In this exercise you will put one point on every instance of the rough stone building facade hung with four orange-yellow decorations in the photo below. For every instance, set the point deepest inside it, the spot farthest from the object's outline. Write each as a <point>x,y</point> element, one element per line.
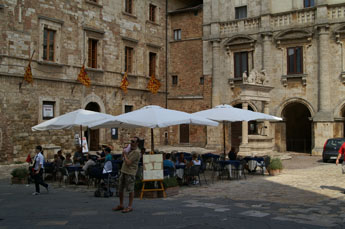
<point>110,37</point>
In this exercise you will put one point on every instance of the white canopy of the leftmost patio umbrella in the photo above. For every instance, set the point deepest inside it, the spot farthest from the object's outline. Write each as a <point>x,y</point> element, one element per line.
<point>75,118</point>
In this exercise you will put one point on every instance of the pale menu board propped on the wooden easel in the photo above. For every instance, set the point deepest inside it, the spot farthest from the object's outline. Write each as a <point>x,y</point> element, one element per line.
<point>153,167</point>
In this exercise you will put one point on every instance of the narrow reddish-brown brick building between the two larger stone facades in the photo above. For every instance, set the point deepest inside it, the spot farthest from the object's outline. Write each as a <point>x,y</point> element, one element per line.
<point>188,89</point>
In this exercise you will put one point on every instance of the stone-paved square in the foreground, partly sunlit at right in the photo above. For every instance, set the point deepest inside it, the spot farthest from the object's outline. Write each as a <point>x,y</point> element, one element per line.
<point>308,194</point>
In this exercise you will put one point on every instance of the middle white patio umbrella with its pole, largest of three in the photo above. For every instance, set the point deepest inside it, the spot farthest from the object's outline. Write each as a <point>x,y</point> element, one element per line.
<point>152,117</point>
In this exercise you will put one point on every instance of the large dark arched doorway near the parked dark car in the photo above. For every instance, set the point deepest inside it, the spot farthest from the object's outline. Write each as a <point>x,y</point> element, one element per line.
<point>298,127</point>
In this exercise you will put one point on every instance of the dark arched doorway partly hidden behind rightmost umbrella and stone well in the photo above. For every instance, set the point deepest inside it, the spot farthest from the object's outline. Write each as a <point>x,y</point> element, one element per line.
<point>236,129</point>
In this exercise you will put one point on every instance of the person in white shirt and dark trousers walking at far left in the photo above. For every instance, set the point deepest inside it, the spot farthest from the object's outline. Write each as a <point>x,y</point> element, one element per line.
<point>38,170</point>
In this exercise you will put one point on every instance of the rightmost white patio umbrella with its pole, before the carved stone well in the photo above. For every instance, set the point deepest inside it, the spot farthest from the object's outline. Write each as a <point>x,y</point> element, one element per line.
<point>226,113</point>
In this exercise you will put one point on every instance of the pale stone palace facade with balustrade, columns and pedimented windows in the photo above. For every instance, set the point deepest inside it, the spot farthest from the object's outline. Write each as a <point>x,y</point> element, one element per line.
<point>285,58</point>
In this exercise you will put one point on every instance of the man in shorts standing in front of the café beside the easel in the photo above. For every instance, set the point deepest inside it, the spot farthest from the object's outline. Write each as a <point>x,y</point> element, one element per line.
<point>129,169</point>
